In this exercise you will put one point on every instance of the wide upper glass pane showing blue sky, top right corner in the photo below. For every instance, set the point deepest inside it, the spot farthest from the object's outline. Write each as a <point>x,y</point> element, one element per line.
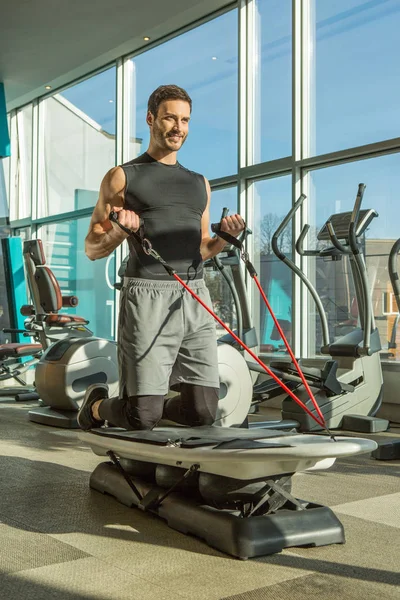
<point>356,78</point>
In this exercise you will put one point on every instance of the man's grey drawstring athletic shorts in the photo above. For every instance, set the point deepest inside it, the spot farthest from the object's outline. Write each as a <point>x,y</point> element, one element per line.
<point>165,337</point>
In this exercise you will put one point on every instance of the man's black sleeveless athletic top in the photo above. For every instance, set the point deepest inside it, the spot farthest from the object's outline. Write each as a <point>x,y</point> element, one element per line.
<point>171,201</point>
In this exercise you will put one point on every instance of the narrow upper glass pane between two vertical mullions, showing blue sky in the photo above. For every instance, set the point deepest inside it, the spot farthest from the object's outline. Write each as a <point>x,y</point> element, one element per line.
<point>272,44</point>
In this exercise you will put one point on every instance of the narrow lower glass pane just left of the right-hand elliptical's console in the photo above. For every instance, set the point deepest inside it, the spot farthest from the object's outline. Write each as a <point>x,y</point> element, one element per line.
<point>272,201</point>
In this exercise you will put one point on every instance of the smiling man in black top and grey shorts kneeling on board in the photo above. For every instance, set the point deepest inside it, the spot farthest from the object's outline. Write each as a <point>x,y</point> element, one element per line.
<point>165,338</point>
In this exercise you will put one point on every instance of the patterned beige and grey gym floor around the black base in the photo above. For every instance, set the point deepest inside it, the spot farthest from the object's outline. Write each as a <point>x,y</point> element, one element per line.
<point>61,540</point>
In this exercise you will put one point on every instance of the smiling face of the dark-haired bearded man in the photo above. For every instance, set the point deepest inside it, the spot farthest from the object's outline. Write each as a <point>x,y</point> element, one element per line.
<point>170,128</point>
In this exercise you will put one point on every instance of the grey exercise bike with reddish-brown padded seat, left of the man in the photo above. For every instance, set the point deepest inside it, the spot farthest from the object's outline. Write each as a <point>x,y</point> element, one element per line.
<point>73,357</point>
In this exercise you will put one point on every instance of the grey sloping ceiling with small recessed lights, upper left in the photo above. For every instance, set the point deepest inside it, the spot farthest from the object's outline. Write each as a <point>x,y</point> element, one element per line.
<point>53,42</point>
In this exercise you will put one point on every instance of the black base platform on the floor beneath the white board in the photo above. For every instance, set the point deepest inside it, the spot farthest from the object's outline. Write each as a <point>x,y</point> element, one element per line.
<point>227,530</point>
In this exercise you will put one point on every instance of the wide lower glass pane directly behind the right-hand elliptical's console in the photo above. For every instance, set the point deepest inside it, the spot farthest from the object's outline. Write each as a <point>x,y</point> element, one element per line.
<point>333,190</point>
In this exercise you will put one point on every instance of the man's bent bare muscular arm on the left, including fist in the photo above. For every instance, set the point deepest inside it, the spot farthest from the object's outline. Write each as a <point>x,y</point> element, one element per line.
<point>104,235</point>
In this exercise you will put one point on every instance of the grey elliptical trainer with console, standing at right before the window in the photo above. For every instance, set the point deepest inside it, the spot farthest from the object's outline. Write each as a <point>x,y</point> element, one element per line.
<point>350,385</point>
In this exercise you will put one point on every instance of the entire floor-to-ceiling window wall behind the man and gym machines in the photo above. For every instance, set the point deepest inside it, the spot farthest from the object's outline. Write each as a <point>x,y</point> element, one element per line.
<point>317,77</point>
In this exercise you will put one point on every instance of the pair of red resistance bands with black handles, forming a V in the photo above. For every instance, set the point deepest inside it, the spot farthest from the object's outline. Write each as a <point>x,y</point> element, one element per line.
<point>147,248</point>
